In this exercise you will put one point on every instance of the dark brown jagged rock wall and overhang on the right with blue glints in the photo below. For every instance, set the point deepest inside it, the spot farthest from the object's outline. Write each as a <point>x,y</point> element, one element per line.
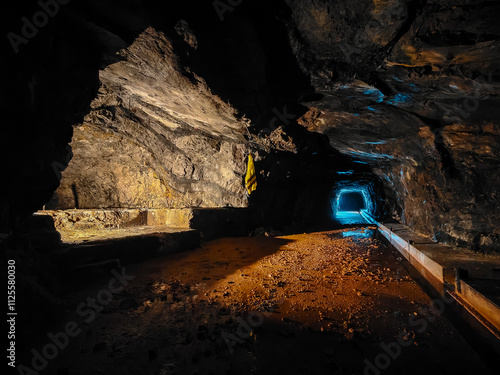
<point>412,89</point>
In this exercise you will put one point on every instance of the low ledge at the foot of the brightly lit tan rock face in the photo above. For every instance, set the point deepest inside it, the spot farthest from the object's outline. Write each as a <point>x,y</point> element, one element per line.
<point>93,239</point>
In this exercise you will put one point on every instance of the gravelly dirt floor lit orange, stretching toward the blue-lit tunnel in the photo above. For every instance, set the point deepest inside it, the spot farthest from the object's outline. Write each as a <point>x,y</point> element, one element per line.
<point>335,302</point>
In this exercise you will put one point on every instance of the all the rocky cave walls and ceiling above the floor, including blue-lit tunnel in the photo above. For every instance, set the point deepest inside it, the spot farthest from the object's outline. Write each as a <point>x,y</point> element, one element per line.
<point>128,114</point>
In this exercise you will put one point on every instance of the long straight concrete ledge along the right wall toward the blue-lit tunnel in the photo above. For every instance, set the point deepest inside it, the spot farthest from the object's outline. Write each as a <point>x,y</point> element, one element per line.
<point>437,264</point>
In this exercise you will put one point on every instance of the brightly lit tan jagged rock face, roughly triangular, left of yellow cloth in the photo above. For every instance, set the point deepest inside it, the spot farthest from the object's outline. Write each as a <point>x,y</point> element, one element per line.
<point>155,137</point>
